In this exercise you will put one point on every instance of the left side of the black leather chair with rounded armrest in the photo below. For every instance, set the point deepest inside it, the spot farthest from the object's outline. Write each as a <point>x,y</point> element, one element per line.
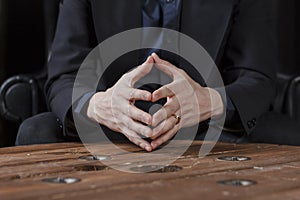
<point>22,96</point>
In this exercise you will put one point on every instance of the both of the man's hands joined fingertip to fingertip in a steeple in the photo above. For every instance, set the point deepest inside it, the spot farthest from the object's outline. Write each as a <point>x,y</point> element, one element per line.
<point>115,108</point>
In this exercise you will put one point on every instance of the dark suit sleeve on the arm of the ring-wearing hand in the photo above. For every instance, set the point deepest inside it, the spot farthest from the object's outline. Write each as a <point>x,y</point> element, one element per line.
<point>250,60</point>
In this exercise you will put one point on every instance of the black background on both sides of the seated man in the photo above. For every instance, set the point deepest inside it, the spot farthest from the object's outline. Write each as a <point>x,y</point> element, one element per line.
<point>23,45</point>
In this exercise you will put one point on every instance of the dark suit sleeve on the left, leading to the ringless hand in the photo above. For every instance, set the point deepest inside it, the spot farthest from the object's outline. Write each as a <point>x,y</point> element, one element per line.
<point>74,40</point>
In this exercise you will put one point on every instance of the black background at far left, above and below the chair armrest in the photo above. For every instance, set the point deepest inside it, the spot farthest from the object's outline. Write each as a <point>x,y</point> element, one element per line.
<point>22,46</point>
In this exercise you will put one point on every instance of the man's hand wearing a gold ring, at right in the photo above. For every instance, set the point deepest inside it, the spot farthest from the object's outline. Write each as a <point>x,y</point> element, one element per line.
<point>185,98</point>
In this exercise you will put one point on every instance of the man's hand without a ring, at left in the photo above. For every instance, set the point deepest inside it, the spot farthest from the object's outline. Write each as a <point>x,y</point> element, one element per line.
<point>115,108</point>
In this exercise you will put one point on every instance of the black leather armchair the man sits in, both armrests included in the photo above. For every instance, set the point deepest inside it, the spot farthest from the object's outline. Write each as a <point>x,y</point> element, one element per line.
<point>22,96</point>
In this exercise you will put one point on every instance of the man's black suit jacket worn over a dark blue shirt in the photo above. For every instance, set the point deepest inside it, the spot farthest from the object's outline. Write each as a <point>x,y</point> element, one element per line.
<point>238,34</point>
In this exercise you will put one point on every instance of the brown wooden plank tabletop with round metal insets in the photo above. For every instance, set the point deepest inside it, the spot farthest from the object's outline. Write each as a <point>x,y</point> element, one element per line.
<point>275,170</point>
